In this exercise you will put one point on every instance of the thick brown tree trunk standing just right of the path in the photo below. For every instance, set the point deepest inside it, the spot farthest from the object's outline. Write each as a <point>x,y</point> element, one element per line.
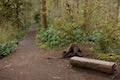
<point>43,14</point>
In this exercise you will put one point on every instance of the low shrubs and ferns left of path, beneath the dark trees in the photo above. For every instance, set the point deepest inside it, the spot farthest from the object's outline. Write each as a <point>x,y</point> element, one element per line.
<point>9,38</point>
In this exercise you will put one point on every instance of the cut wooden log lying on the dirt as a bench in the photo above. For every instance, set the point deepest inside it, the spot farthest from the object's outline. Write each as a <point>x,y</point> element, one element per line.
<point>99,65</point>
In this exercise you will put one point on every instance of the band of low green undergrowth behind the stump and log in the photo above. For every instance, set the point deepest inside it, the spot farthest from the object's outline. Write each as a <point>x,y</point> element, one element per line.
<point>106,45</point>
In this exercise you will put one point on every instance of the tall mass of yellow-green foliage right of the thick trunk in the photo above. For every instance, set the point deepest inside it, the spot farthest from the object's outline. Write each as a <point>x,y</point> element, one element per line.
<point>90,21</point>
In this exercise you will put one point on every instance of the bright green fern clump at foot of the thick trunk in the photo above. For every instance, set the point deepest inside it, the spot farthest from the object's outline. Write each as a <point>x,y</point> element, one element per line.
<point>50,37</point>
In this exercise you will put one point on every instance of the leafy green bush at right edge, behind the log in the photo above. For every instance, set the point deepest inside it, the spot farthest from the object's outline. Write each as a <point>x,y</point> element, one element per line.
<point>105,40</point>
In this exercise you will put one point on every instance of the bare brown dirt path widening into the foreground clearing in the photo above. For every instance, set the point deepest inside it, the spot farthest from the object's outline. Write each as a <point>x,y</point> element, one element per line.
<point>31,63</point>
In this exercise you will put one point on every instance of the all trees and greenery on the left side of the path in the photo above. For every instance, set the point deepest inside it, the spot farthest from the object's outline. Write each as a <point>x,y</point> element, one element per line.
<point>14,23</point>
